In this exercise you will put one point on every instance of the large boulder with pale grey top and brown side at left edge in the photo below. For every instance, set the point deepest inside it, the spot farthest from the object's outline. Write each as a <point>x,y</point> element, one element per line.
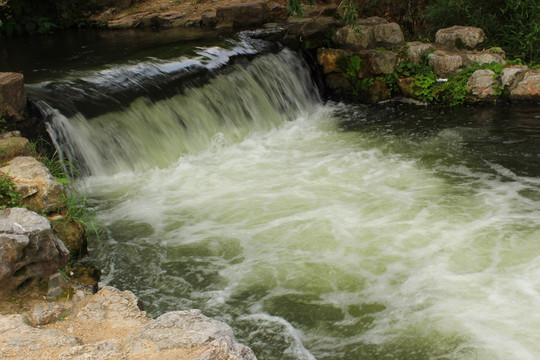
<point>28,248</point>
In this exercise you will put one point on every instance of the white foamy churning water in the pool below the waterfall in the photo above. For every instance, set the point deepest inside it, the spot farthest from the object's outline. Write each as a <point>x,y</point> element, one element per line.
<point>364,253</point>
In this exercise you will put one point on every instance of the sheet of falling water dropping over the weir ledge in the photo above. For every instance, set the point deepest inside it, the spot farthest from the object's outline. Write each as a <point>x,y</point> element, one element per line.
<point>147,134</point>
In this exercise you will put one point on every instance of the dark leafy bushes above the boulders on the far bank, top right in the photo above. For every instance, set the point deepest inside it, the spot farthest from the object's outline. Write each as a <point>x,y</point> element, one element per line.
<point>512,24</point>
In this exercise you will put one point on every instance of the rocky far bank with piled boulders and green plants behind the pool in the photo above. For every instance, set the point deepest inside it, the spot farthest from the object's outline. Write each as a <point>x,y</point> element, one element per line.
<point>371,61</point>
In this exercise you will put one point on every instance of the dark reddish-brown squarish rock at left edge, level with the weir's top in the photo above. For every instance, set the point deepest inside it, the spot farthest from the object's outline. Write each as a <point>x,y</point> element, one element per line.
<point>12,95</point>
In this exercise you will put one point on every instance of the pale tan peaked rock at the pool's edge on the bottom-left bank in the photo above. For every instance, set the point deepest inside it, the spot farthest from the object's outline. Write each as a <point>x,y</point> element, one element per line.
<point>113,305</point>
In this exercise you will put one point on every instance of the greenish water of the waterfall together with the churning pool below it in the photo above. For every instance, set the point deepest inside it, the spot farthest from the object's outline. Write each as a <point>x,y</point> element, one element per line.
<point>324,231</point>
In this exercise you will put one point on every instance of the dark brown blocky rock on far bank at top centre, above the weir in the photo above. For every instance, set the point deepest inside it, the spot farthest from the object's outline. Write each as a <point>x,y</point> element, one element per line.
<point>242,15</point>
